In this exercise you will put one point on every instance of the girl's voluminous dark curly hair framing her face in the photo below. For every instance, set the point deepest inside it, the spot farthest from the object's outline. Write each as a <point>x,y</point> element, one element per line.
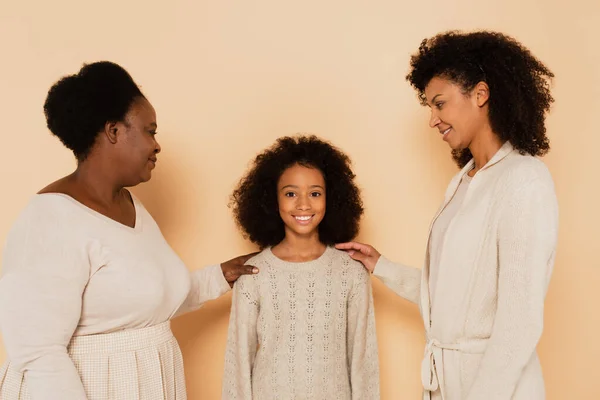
<point>254,201</point>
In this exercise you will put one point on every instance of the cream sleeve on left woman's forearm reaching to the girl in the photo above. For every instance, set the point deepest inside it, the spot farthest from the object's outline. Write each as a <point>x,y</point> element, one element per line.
<point>206,284</point>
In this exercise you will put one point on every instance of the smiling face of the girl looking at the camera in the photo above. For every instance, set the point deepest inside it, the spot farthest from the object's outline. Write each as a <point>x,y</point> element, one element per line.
<point>301,199</point>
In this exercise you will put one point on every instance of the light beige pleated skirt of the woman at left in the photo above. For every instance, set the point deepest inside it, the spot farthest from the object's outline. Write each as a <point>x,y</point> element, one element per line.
<point>137,364</point>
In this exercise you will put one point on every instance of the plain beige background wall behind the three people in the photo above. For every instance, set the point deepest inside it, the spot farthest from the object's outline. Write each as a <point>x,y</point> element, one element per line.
<point>229,77</point>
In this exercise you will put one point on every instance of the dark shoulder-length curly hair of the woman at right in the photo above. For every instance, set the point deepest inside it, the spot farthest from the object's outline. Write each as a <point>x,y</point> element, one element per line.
<point>519,83</point>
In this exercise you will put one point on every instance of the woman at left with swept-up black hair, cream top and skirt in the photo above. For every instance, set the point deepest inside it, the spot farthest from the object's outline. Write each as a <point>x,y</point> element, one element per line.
<point>89,283</point>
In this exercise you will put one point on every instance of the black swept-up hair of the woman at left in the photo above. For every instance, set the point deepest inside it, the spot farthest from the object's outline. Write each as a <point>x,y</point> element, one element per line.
<point>78,106</point>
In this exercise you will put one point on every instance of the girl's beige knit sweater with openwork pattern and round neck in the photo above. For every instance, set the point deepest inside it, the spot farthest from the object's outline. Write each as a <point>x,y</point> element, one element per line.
<point>302,331</point>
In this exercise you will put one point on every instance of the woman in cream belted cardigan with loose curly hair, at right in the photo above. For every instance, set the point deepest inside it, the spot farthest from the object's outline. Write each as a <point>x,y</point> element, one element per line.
<point>492,243</point>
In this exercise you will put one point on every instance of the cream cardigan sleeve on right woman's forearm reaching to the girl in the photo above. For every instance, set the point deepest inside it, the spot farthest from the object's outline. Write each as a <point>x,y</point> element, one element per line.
<point>403,280</point>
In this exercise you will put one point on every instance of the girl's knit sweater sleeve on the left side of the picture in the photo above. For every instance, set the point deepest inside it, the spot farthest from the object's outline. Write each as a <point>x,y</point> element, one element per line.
<point>242,340</point>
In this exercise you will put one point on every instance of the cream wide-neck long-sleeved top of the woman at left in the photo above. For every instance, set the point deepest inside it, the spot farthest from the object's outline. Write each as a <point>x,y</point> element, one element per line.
<point>68,271</point>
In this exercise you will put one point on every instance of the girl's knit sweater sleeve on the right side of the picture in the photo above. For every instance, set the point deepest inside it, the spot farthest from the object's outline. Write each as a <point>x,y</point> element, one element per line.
<point>363,356</point>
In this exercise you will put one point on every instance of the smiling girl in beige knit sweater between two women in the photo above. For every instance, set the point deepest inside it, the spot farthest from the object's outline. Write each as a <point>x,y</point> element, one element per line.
<point>305,327</point>
